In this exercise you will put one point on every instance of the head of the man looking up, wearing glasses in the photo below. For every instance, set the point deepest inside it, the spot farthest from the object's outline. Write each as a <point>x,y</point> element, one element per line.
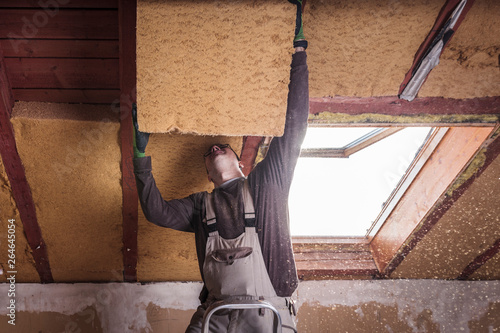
<point>222,163</point>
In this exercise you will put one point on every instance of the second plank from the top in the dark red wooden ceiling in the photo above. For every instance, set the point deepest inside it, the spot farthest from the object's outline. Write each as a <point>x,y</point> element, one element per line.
<point>24,24</point>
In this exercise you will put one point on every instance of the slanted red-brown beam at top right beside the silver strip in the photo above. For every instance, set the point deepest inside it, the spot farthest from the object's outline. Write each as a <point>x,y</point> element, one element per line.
<point>443,16</point>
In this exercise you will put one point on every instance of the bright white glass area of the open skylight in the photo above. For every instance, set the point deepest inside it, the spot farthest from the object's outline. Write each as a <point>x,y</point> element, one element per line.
<point>343,196</point>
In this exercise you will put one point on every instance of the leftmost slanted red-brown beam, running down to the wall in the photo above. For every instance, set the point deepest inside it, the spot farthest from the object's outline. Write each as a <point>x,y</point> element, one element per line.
<point>21,191</point>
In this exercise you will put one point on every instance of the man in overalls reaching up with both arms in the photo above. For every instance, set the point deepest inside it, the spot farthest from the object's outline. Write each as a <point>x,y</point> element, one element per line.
<point>241,228</point>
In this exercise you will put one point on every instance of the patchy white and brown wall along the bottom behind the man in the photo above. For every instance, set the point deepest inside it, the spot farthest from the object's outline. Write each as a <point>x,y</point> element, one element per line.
<point>323,306</point>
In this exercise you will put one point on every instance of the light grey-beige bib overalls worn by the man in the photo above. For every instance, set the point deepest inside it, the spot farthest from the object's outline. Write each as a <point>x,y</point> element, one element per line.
<point>234,268</point>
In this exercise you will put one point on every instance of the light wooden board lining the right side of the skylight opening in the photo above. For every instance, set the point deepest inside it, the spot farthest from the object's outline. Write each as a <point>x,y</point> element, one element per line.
<point>426,197</point>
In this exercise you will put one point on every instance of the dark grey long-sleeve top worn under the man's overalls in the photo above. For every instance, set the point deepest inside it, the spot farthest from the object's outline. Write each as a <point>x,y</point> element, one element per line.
<point>269,184</point>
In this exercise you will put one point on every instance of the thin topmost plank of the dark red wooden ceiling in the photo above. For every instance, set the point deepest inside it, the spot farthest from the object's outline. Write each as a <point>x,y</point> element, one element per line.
<point>109,4</point>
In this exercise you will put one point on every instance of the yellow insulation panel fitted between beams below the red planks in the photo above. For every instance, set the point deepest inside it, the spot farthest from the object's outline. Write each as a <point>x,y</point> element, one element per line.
<point>73,168</point>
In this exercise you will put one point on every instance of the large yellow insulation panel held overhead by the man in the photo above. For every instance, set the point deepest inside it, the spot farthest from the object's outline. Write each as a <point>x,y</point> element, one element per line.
<point>213,67</point>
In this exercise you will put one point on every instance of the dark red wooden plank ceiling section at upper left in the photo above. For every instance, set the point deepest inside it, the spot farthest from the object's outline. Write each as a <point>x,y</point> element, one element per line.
<point>62,53</point>
